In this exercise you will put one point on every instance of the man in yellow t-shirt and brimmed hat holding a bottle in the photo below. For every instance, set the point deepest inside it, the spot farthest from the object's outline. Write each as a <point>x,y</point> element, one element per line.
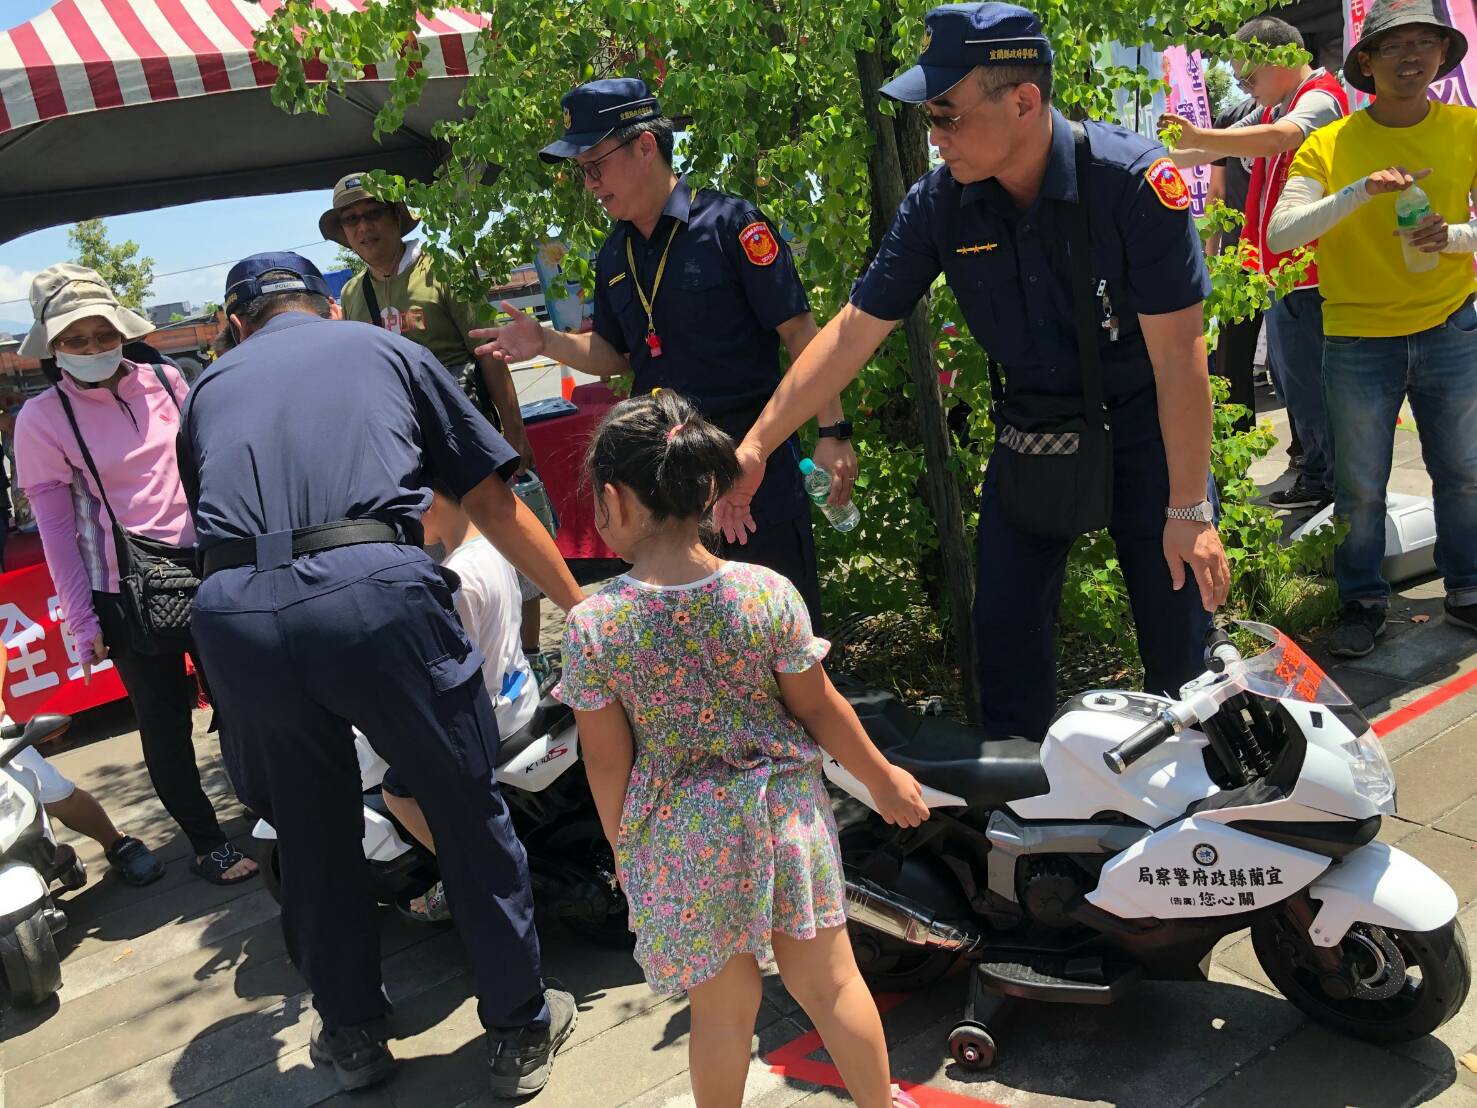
<point>1394,329</point>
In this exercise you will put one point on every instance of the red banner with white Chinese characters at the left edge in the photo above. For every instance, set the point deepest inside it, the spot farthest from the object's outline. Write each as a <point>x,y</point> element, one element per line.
<point>44,671</point>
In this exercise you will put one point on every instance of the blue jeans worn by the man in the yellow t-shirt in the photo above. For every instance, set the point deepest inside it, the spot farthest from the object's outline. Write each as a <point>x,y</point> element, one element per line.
<point>1365,382</point>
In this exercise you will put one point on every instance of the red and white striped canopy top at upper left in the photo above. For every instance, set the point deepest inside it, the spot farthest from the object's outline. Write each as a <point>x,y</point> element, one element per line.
<point>92,55</point>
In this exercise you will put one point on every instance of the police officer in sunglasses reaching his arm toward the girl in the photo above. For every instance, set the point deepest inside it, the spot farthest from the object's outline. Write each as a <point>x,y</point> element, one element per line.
<point>995,221</point>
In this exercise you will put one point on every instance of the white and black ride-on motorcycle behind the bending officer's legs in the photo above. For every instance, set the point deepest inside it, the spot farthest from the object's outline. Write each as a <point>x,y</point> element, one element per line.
<point>549,798</point>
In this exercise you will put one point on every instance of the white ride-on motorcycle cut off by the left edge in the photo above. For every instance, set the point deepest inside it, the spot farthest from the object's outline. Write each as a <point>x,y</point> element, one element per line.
<point>30,862</point>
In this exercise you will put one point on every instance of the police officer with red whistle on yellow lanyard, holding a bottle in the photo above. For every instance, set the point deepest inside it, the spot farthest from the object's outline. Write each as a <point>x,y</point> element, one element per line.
<point>695,290</point>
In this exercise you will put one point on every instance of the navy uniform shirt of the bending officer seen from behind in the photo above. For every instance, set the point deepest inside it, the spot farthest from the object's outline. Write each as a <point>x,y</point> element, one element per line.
<point>314,420</point>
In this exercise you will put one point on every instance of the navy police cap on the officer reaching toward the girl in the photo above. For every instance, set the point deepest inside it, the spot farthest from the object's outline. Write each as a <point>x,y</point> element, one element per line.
<point>958,38</point>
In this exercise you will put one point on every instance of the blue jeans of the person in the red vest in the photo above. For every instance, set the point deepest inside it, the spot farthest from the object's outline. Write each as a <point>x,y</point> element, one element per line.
<point>1296,354</point>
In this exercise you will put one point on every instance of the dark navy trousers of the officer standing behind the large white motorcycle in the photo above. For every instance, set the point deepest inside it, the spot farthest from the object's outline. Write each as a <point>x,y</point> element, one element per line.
<point>1020,589</point>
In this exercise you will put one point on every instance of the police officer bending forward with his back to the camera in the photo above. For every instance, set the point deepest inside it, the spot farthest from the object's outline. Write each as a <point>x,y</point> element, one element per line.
<point>309,453</point>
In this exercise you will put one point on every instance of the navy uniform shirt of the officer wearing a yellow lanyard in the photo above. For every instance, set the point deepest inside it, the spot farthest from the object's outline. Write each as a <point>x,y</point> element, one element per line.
<point>729,283</point>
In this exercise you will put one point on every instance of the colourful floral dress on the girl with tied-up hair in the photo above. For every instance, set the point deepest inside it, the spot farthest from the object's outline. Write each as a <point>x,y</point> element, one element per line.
<point>727,831</point>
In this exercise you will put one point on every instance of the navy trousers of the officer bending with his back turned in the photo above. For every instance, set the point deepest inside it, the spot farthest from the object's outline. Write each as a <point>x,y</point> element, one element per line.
<point>367,637</point>
